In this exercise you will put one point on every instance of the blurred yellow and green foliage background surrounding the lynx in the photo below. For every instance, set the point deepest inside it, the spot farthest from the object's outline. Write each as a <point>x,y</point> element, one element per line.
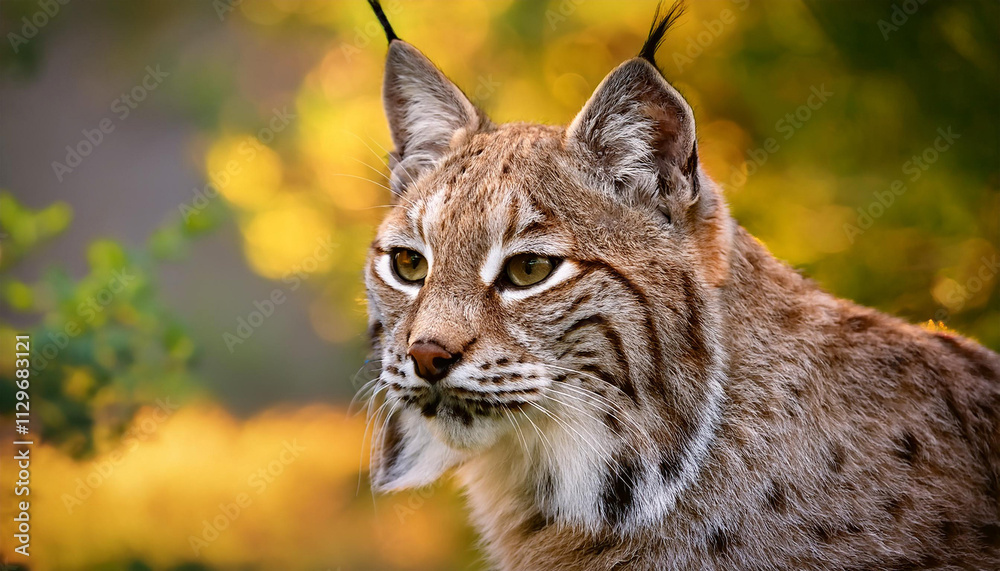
<point>188,189</point>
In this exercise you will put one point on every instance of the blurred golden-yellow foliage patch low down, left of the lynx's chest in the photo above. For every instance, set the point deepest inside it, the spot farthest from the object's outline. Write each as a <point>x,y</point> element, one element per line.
<point>280,490</point>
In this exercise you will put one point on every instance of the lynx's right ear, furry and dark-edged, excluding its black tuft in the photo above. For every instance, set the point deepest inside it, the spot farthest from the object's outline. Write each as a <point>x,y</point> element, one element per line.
<point>638,133</point>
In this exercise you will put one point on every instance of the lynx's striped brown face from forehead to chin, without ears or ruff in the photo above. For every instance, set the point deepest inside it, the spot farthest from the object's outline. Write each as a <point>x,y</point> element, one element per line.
<point>505,209</point>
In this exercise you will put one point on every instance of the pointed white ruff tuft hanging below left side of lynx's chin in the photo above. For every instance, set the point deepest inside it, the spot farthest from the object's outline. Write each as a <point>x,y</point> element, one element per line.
<point>408,455</point>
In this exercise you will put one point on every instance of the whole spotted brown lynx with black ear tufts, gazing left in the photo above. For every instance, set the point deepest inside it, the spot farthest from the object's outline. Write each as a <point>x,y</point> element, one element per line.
<point>619,376</point>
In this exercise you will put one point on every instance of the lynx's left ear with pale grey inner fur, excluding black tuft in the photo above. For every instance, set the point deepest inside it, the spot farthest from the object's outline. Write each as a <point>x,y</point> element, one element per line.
<point>425,111</point>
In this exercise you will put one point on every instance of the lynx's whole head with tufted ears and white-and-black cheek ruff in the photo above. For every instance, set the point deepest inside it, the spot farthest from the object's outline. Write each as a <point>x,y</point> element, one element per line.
<point>547,292</point>
